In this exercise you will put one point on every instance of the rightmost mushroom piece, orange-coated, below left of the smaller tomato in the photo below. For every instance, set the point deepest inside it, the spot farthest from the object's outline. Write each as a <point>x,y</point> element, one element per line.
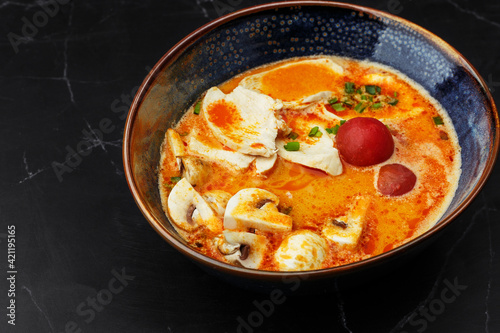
<point>346,231</point>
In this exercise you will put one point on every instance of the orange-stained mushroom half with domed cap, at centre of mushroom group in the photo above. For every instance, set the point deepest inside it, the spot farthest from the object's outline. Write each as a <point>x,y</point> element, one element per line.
<point>255,208</point>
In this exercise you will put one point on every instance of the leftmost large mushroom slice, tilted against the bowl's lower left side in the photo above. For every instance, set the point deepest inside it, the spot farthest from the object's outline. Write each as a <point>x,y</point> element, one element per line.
<point>188,210</point>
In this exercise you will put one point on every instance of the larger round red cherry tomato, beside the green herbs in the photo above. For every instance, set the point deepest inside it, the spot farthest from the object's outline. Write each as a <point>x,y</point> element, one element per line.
<point>364,141</point>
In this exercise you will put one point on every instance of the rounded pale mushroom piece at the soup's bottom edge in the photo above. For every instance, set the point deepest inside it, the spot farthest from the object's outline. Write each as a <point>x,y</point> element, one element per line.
<point>300,251</point>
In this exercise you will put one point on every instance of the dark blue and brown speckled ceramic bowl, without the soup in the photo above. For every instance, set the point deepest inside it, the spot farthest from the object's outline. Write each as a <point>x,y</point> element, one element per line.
<point>262,34</point>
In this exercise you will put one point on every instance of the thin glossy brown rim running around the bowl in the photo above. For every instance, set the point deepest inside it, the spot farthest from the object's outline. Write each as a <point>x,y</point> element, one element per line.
<point>190,39</point>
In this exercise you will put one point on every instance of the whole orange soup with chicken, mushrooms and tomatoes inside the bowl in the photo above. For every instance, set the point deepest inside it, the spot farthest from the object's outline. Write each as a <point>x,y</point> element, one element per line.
<point>307,164</point>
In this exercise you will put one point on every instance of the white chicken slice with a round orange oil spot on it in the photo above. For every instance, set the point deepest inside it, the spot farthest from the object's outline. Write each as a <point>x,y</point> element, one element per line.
<point>243,120</point>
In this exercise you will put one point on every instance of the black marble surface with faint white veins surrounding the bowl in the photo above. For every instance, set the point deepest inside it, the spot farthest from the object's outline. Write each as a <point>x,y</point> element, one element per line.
<point>87,260</point>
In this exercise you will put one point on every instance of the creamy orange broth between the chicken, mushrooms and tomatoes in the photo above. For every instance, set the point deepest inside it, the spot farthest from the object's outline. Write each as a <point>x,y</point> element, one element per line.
<point>313,198</point>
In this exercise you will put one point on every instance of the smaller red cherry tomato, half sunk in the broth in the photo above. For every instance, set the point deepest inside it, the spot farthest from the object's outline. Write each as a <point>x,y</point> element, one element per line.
<point>395,179</point>
